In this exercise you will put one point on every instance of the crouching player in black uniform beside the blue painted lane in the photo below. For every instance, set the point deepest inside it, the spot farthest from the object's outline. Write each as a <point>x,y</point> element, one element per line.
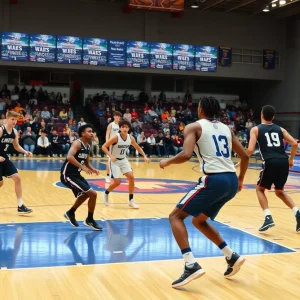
<point>77,160</point>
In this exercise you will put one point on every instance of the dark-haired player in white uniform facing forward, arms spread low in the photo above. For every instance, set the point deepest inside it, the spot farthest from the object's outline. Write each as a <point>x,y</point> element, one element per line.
<point>118,161</point>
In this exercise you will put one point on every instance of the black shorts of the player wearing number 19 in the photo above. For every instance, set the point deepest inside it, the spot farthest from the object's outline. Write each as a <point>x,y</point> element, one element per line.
<point>274,171</point>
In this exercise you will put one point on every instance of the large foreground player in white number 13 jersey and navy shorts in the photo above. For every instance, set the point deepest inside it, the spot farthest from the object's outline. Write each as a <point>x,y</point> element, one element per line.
<point>213,142</point>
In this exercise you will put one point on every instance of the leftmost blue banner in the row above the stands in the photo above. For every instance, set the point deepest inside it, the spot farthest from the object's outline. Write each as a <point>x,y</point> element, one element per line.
<point>15,46</point>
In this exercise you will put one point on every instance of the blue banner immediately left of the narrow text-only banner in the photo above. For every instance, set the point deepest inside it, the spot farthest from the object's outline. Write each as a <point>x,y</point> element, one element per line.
<point>94,52</point>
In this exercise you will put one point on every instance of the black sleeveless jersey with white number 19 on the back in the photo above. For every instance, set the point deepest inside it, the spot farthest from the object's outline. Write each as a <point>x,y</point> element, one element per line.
<point>270,141</point>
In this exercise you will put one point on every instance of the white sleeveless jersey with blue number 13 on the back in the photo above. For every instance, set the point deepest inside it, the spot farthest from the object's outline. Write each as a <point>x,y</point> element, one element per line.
<point>214,147</point>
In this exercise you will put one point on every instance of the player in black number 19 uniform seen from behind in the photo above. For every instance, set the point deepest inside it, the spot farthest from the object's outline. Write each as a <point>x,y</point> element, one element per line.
<point>276,163</point>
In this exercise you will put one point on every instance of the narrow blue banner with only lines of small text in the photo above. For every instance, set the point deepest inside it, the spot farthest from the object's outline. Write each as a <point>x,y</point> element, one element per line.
<point>117,53</point>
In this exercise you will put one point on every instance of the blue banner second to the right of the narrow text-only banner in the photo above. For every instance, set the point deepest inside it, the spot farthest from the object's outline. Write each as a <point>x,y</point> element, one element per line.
<point>161,55</point>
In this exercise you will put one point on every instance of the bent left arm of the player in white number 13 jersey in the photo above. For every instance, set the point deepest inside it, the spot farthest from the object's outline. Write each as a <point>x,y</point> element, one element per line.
<point>190,139</point>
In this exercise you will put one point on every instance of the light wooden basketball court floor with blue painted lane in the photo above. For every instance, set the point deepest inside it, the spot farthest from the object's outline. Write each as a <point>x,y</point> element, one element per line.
<point>136,256</point>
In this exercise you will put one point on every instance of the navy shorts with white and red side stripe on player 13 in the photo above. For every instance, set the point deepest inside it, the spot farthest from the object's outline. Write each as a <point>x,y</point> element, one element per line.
<point>209,195</point>
